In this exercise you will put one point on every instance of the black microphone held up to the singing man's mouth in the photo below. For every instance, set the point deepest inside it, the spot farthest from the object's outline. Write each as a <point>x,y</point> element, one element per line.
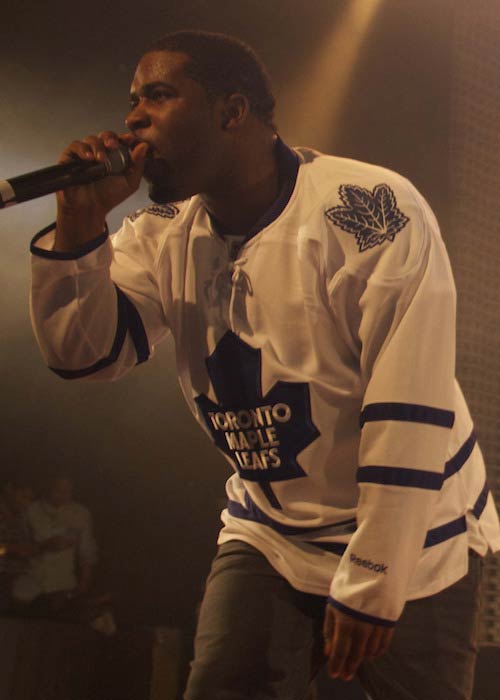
<point>58,177</point>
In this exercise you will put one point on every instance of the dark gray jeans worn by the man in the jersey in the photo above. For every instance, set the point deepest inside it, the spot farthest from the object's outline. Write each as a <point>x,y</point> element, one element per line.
<point>260,639</point>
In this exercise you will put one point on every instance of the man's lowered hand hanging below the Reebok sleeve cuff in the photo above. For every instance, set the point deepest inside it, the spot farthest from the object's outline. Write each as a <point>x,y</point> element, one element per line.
<point>349,641</point>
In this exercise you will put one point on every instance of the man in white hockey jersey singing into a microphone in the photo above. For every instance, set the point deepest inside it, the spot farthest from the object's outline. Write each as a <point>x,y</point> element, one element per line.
<point>313,310</point>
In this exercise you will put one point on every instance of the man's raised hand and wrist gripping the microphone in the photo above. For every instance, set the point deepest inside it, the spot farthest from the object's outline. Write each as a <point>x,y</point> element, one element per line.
<point>82,209</point>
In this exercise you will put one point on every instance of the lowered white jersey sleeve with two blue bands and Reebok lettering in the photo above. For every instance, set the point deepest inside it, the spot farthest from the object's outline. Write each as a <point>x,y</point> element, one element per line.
<point>405,331</point>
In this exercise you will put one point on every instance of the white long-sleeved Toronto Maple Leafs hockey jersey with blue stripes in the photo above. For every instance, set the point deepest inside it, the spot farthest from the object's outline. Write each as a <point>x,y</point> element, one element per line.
<point>319,357</point>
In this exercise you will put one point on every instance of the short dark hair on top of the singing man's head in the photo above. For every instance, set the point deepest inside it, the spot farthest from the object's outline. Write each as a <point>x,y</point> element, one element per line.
<point>223,65</point>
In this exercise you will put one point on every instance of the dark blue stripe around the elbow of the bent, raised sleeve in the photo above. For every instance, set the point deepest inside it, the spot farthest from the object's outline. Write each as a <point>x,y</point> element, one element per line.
<point>128,320</point>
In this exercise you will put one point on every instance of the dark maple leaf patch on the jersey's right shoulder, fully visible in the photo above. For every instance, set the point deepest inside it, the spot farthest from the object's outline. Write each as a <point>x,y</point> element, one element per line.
<point>372,217</point>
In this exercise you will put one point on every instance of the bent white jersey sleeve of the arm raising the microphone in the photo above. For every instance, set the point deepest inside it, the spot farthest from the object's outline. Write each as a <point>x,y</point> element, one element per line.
<point>97,312</point>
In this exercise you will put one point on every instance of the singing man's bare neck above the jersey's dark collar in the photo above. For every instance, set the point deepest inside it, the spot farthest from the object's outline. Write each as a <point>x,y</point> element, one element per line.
<point>249,188</point>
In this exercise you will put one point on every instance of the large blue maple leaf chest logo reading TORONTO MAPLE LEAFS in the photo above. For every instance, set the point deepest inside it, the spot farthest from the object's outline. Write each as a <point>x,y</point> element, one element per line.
<point>262,435</point>
